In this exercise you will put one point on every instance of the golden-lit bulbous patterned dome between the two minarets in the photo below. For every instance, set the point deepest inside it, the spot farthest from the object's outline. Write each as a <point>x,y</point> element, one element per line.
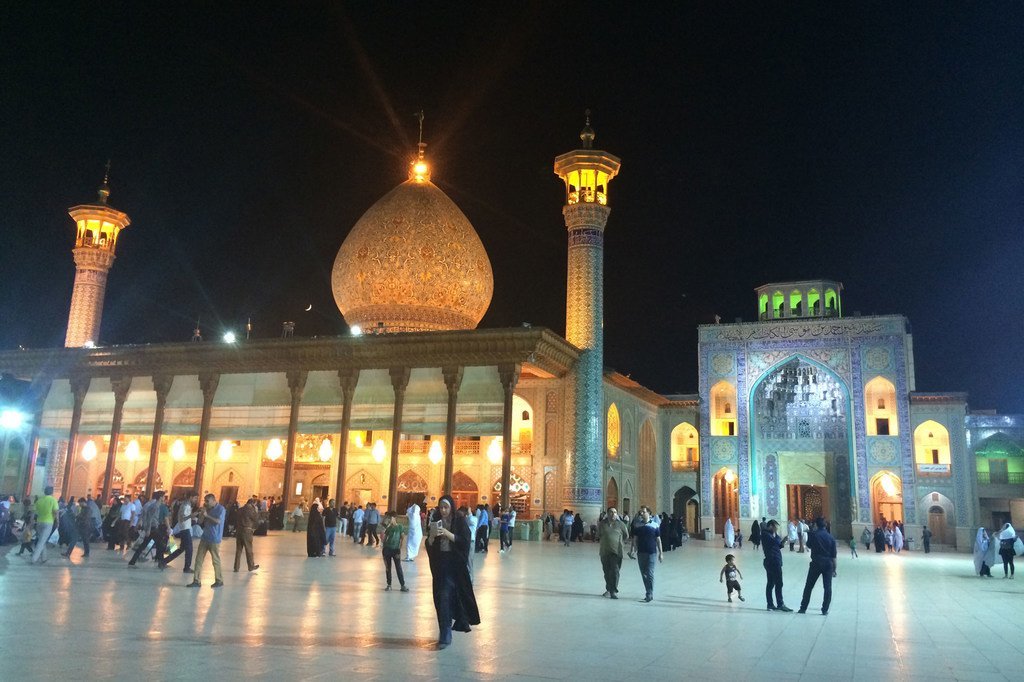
<point>413,263</point>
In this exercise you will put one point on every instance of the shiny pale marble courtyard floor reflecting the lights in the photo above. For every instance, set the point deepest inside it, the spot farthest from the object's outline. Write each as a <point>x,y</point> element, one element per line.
<point>893,617</point>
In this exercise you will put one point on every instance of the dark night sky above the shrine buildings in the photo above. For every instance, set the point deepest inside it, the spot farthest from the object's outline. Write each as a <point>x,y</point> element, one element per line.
<point>874,145</point>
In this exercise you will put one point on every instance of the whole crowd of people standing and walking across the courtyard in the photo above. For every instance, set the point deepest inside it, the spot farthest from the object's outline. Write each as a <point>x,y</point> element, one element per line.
<point>166,530</point>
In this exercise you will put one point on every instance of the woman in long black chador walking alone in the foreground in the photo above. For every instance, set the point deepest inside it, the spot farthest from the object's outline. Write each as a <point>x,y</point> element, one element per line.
<point>449,548</point>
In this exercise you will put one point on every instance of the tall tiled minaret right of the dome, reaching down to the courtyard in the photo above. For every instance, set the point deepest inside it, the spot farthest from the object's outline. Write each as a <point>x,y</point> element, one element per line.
<point>586,174</point>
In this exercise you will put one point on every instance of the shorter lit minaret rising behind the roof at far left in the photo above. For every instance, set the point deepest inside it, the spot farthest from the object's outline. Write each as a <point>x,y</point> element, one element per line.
<point>99,227</point>
